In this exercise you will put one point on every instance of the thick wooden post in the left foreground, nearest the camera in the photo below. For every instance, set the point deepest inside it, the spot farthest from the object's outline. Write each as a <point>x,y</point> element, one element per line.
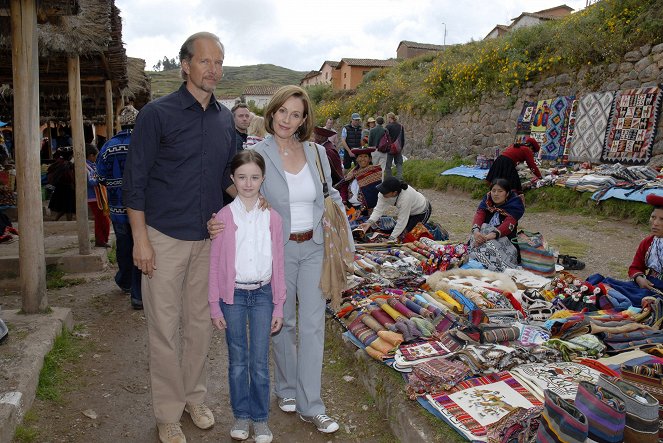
<point>25,64</point>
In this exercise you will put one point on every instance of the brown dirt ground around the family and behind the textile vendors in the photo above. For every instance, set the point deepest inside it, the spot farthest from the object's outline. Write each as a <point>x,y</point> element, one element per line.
<point>110,376</point>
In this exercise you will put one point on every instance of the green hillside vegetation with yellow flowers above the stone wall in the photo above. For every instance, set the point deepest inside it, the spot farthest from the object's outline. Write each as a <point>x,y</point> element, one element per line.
<point>461,74</point>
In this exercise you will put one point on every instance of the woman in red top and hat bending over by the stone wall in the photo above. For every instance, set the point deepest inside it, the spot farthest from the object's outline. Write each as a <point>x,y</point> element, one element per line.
<point>505,165</point>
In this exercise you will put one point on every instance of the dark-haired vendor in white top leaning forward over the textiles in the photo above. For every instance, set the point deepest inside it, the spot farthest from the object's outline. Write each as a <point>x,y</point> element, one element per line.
<point>412,206</point>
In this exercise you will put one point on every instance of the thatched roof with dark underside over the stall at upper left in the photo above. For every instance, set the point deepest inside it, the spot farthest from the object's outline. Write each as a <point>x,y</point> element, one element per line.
<point>94,34</point>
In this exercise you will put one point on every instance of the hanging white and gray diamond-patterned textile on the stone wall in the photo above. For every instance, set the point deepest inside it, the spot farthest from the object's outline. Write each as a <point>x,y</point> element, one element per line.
<point>586,141</point>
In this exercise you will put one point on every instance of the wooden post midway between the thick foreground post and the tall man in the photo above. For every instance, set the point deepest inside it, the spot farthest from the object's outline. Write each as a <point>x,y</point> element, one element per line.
<point>80,170</point>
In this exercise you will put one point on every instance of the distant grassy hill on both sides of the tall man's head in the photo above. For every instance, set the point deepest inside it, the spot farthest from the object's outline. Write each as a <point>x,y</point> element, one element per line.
<point>235,79</point>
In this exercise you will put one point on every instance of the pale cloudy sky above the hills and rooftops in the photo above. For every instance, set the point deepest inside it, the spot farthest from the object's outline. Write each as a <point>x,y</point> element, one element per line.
<point>302,34</point>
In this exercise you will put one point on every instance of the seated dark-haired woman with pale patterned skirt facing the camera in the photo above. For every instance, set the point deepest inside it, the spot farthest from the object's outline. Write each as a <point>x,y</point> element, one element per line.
<point>495,224</point>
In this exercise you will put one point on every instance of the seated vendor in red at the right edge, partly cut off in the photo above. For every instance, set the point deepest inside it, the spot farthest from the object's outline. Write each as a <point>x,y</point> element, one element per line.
<point>647,266</point>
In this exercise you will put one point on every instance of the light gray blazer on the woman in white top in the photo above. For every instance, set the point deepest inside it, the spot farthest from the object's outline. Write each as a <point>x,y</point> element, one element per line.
<point>275,186</point>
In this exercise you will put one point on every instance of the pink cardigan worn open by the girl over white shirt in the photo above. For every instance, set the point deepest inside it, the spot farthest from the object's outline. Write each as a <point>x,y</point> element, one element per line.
<point>222,264</point>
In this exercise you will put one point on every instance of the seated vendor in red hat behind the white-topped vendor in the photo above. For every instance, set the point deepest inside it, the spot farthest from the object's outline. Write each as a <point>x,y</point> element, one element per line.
<point>358,188</point>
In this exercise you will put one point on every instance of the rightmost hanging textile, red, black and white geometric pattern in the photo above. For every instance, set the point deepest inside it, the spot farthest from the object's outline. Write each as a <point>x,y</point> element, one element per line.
<point>633,120</point>
